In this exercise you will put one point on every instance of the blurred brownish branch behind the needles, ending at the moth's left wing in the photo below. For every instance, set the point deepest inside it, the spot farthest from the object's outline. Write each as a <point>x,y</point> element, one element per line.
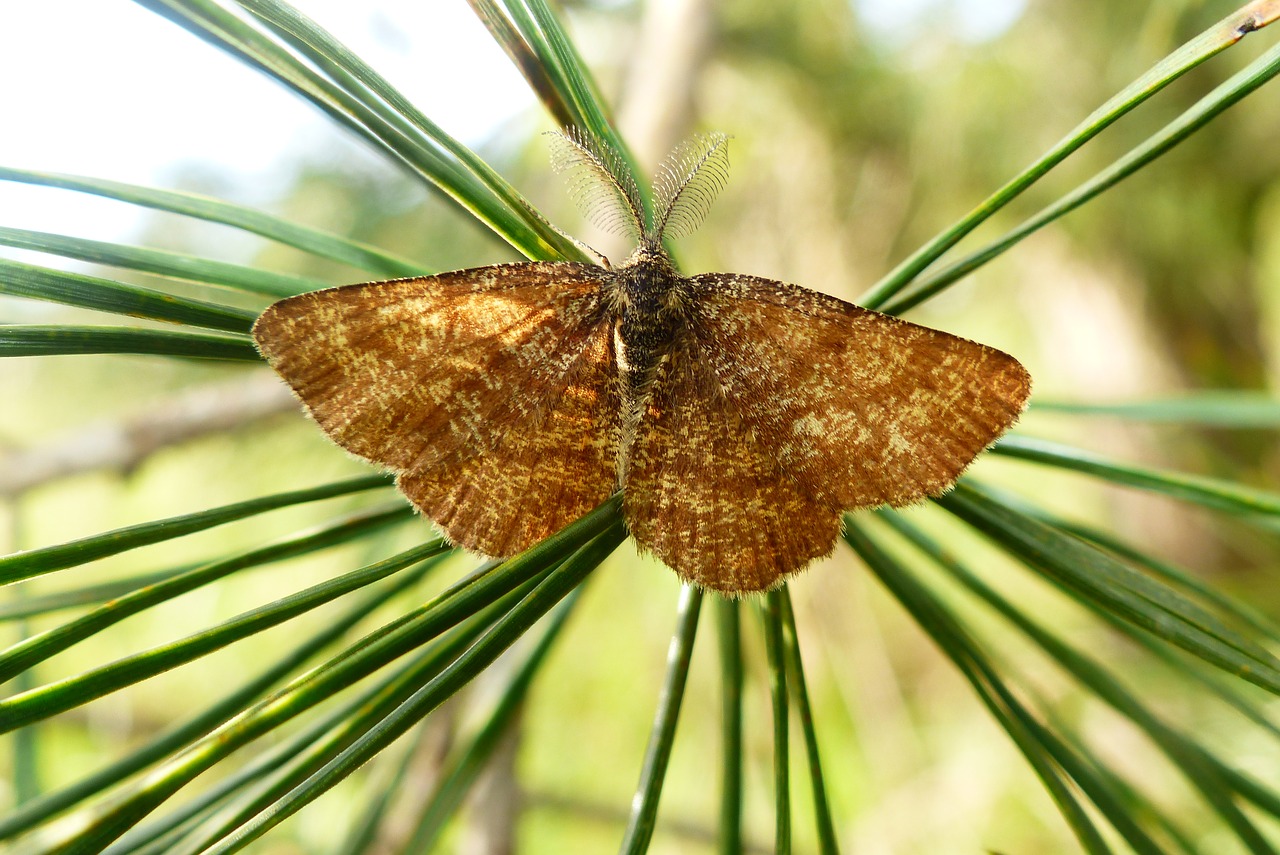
<point>124,445</point>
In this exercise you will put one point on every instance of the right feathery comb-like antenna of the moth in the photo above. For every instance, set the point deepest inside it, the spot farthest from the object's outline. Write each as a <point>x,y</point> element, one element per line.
<point>689,181</point>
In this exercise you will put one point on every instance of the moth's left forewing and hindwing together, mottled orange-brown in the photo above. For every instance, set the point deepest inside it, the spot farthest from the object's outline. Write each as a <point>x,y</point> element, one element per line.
<point>491,392</point>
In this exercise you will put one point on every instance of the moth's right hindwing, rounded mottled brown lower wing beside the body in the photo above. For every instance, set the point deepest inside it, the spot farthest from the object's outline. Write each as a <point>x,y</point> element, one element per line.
<point>708,497</point>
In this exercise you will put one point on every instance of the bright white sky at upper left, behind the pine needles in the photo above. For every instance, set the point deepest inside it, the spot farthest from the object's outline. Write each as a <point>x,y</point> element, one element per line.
<point>115,92</point>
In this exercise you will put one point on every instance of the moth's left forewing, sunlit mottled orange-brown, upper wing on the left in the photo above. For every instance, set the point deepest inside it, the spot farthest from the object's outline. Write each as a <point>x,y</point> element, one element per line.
<point>414,372</point>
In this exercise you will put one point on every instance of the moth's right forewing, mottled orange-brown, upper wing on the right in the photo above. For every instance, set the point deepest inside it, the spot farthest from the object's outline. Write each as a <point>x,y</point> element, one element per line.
<point>860,408</point>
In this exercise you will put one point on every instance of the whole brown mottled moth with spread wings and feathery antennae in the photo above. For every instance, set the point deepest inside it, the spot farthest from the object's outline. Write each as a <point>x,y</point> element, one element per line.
<point>740,417</point>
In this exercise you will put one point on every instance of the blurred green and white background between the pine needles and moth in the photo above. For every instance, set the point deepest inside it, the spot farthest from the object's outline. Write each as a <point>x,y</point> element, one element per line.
<point>861,129</point>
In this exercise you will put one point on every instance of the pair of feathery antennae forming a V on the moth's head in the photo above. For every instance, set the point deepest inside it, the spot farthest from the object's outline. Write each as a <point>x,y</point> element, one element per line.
<point>604,186</point>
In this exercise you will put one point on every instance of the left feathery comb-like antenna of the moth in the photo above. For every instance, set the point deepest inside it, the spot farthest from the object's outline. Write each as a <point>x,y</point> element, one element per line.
<point>600,181</point>
